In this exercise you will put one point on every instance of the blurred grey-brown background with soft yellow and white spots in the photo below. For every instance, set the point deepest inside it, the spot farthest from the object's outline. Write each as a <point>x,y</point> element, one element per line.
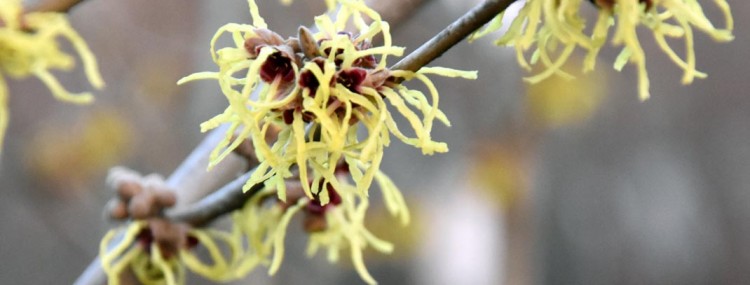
<point>564,182</point>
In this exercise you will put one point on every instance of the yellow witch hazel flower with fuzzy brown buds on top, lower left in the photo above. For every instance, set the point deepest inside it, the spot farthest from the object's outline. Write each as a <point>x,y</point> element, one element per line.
<point>156,250</point>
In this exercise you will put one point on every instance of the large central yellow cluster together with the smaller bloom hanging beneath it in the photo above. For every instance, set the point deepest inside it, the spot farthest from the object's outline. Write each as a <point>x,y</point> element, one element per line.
<point>318,110</point>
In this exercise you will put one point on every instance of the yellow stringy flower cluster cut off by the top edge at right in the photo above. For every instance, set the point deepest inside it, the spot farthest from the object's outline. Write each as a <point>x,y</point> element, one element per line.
<point>554,28</point>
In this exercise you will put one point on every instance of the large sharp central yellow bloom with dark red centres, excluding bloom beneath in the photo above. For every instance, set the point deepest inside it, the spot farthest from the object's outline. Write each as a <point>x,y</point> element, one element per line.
<point>318,90</point>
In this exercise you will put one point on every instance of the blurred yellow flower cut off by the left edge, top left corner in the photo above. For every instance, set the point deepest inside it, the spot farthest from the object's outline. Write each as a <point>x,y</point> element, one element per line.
<point>28,46</point>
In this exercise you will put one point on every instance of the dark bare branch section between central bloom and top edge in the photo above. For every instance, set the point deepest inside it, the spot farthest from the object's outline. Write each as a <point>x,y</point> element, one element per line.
<point>452,35</point>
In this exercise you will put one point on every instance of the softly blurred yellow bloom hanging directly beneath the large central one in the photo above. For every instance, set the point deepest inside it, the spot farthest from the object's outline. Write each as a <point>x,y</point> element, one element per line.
<point>335,226</point>
